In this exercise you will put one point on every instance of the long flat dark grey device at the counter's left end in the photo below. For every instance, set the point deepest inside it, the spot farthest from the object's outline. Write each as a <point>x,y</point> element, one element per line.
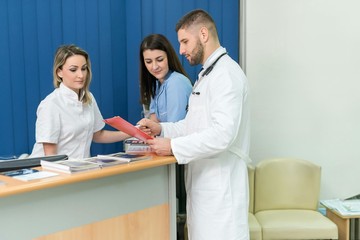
<point>14,164</point>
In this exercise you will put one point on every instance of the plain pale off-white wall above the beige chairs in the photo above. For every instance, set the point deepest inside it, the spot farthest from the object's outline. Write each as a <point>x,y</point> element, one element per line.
<point>302,58</point>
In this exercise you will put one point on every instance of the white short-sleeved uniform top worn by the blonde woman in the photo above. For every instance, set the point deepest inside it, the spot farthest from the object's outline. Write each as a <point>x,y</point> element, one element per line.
<point>64,120</point>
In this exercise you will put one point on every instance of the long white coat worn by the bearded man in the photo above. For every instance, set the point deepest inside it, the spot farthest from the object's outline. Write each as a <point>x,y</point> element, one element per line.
<point>213,140</point>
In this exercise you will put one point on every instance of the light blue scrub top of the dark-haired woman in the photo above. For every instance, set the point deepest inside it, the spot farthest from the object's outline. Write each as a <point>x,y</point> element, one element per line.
<point>171,98</point>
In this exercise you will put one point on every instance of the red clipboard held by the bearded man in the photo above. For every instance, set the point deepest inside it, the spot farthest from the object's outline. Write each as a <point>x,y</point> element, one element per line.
<point>126,127</point>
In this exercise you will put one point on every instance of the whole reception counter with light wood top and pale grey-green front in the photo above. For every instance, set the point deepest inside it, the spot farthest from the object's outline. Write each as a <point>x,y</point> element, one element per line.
<point>133,201</point>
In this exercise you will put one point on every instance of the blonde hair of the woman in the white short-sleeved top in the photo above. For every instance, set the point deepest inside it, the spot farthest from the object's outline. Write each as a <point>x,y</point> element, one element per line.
<point>61,55</point>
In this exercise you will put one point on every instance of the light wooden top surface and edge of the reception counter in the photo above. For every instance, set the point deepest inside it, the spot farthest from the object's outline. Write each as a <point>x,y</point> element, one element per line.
<point>13,186</point>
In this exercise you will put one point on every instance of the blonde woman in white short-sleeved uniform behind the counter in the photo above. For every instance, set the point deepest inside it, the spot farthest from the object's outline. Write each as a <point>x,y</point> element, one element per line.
<point>68,119</point>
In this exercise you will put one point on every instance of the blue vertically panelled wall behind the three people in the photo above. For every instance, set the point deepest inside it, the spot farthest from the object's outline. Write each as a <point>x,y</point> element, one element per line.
<point>111,32</point>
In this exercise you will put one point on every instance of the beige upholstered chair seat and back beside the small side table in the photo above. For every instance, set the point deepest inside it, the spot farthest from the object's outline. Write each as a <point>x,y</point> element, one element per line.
<point>286,200</point>
